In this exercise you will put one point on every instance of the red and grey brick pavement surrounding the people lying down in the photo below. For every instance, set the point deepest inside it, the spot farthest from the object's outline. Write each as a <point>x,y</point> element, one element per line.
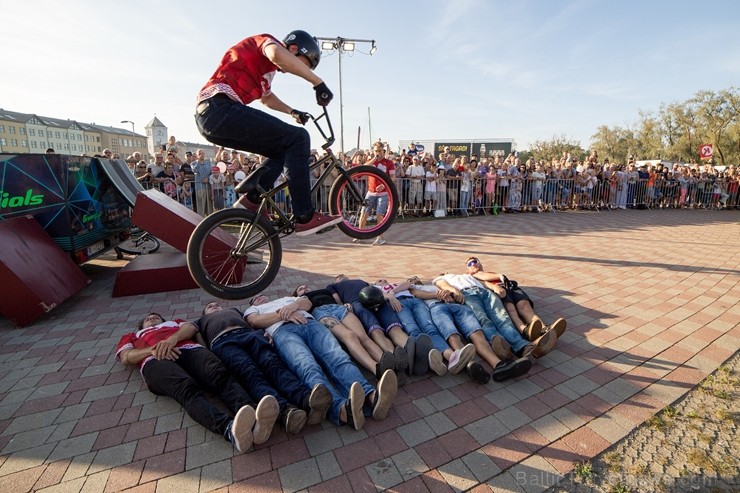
<point>652,301</point>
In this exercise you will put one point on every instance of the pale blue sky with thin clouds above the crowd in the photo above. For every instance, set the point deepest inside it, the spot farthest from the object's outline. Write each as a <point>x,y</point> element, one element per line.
<point>530,70</point>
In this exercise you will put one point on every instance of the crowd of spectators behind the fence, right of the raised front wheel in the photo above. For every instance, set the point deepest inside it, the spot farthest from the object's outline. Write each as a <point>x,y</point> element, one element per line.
<point>461,186</point>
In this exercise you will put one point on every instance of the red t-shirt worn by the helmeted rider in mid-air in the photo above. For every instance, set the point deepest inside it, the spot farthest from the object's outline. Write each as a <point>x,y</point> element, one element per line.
<point>245,73</point>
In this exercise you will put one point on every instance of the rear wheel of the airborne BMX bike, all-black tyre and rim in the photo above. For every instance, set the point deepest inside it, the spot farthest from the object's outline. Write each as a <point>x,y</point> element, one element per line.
<point>232,254</point>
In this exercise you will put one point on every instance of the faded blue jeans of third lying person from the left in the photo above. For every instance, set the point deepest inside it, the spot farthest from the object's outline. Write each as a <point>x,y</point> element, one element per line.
<point>306,348</point>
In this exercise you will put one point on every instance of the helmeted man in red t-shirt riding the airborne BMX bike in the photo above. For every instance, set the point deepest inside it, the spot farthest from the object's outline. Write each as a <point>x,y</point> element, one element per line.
<point>224,117</point>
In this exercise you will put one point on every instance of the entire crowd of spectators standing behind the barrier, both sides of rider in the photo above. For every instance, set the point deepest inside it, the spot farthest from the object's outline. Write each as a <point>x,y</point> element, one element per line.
<point>450,184</point>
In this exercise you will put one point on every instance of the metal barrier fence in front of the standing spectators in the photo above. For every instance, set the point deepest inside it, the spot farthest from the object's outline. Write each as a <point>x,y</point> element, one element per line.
<point>480,196</point>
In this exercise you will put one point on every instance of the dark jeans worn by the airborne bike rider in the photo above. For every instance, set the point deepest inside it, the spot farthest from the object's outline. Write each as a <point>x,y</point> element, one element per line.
<point>230,124</point>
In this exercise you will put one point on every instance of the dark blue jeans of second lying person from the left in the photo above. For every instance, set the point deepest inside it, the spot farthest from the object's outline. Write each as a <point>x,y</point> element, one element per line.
<point>256,365</point>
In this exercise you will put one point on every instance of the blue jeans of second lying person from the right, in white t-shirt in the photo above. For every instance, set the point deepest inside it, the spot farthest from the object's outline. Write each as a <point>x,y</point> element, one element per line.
<point>491,313</point>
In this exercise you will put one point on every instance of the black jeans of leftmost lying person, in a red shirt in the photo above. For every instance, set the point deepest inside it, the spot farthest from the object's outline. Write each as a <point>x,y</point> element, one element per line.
<point>184,381</point>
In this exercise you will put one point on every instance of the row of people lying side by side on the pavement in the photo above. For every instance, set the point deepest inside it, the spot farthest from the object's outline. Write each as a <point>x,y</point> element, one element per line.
<point>277,362</point>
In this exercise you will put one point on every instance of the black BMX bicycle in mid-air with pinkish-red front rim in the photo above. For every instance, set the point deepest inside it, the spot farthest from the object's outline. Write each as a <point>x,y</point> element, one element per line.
<point>236,253</point>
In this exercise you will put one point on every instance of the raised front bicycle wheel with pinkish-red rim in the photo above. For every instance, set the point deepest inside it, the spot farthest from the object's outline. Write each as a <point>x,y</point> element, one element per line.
<point>358,219</point>
